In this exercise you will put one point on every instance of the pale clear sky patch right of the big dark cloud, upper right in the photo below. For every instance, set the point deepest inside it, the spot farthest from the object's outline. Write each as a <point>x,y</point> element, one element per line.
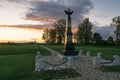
<point>104,11</point>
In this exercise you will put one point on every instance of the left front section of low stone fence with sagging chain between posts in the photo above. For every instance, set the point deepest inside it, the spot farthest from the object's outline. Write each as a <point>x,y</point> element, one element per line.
<point>42,64</point>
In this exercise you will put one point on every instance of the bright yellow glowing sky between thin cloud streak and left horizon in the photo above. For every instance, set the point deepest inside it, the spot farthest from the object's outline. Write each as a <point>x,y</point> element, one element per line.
<point>11,34</point>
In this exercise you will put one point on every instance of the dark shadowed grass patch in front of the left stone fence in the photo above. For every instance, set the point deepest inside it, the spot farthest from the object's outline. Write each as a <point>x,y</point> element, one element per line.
<point>58,74</point>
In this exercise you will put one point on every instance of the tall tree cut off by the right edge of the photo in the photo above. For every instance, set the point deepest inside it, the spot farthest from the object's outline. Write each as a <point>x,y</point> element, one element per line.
<point>116,23</point>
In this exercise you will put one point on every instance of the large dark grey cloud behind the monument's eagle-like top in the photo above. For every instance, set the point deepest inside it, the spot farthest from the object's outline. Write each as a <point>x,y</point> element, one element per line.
<point>54,9</point>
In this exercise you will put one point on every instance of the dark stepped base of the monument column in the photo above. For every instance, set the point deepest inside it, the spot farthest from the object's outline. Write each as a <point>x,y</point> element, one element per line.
<point>70,50</point>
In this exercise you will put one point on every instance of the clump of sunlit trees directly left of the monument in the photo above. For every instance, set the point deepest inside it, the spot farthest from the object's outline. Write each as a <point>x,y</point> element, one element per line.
<point>56,35</point>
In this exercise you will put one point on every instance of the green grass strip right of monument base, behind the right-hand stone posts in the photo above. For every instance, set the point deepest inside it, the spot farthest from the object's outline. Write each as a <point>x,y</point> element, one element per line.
<point>107,51</point>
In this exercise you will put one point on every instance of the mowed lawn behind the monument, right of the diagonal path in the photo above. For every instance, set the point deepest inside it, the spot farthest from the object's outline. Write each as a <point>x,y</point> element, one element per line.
<point>107,51</point>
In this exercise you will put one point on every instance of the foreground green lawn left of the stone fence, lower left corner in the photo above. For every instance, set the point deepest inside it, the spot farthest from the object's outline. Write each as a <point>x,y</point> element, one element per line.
<point>15,67</point>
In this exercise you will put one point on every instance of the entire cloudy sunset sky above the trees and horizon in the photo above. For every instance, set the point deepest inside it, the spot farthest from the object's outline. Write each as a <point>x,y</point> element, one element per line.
<point>24,20</point>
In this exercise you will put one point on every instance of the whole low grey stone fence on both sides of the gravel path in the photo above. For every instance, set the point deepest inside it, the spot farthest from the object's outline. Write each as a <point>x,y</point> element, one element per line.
<point>66,62</point>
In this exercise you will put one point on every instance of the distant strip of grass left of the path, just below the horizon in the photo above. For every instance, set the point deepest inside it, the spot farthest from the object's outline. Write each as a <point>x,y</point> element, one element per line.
<point>8,49</point>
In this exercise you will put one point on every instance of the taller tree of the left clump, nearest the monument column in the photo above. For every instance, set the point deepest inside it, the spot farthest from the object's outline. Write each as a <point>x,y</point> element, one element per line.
<point>60,27</point>
